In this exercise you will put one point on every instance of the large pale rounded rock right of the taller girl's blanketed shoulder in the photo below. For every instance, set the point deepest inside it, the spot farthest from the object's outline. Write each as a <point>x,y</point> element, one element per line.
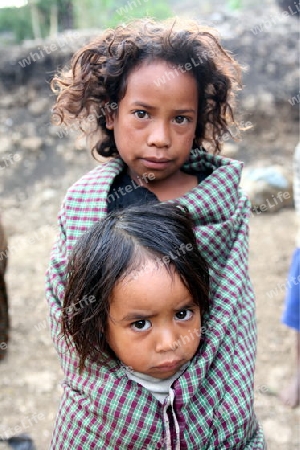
<point>268,188</point>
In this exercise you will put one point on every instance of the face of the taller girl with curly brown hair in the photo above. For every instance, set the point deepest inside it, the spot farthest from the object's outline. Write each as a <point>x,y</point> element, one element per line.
<point>156,120</point>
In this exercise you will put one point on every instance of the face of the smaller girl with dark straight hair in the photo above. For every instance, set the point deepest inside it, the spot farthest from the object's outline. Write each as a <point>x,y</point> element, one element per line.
<point>154,324</point>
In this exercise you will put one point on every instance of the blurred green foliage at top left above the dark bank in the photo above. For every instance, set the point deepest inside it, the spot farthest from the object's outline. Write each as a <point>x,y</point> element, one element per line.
<point>37,15</point>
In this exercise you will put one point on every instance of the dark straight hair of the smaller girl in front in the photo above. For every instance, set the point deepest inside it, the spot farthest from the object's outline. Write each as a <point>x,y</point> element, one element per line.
<point>114,248</point>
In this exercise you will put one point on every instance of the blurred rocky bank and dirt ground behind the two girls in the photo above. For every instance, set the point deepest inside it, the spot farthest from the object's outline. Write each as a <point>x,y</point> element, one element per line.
<point>39,161</point>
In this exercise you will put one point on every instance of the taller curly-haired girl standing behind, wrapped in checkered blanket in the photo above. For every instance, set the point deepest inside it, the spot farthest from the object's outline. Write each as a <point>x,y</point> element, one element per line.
<point>150,96</point>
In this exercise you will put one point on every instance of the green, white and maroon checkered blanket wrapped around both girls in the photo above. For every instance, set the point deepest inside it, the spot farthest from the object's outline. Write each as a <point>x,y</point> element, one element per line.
<point>102,408</point>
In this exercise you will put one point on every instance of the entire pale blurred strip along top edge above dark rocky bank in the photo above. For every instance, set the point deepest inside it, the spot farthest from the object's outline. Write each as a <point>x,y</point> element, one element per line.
<point>32,19</point>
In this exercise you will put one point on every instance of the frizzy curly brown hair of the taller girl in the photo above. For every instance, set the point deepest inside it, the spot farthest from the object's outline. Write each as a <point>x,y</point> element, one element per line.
<point>97,79</point>
